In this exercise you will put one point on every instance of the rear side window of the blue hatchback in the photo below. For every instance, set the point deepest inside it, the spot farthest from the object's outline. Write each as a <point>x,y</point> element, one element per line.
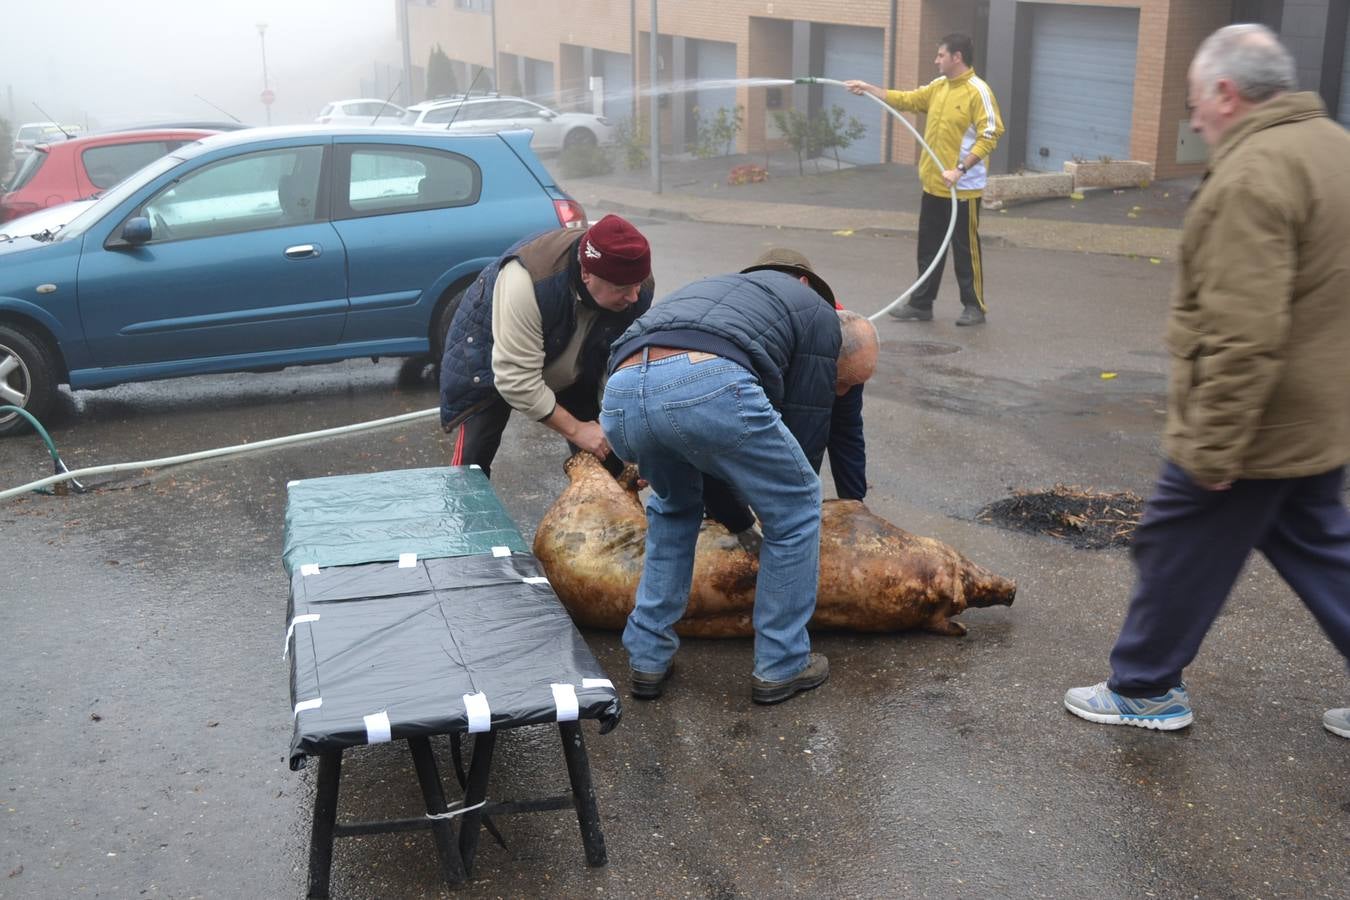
<point>385,180</point>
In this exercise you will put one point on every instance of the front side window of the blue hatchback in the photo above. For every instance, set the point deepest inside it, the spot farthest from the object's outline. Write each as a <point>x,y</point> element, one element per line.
<point>259,191</point>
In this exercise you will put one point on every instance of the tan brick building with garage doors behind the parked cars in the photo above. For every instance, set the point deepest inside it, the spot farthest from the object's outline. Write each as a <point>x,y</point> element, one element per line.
<point>1077,79</point>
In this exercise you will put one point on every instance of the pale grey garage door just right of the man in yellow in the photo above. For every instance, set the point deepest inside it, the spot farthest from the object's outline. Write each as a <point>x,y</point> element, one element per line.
<point>1082,87</point>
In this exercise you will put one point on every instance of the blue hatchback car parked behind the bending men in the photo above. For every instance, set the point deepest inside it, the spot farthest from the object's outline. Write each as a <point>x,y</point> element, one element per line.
<point>264,249</point>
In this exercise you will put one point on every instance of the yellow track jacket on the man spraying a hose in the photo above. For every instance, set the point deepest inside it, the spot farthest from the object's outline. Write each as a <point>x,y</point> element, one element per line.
<point>963,118</point>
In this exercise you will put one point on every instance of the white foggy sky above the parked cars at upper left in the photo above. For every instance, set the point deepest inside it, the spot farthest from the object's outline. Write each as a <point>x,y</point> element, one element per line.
<point>113,64</point>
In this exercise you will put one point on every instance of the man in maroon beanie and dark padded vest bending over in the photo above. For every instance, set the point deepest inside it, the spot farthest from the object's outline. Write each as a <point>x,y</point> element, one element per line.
<point>533,335</point>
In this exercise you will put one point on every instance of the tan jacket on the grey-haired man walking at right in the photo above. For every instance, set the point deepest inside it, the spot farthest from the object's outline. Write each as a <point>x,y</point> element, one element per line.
<point>1260,326</point>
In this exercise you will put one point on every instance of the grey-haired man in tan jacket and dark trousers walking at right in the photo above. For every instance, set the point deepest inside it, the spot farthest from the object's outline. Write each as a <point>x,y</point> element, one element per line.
<point>1259,422</point>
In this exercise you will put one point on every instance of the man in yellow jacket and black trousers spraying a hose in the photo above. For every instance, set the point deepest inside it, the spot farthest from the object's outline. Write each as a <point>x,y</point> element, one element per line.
<point>963,129</point>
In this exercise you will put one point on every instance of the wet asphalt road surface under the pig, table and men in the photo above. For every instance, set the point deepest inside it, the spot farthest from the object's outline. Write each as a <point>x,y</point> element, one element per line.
<point>146,712</point>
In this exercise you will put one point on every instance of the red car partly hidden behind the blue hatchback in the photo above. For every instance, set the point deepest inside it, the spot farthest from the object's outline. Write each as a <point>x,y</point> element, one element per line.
<point>76,169</point>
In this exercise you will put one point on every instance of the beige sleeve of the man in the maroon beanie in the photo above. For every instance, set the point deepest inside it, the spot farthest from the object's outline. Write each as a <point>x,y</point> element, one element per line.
<point>519,345</point>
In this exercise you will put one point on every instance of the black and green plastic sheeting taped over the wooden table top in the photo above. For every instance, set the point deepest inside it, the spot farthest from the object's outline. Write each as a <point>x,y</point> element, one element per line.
<point>392,650</point>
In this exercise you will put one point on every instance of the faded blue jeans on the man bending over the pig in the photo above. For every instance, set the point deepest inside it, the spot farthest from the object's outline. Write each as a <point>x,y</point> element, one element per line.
<point>680,420</point>
